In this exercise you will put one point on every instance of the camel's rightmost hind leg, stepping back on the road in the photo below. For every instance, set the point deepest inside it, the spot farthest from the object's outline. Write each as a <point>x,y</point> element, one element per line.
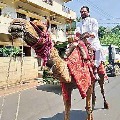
<point>101,83</point>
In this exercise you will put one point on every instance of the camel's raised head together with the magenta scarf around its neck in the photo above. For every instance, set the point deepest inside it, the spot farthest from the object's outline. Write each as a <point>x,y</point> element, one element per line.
<point>34,34</point>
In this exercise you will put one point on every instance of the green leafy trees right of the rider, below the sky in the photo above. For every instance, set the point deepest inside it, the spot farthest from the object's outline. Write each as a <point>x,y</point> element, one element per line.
<point>109,36</point>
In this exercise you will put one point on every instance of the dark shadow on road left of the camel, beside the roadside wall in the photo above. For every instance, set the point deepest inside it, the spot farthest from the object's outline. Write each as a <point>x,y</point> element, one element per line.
<point>50,88</point>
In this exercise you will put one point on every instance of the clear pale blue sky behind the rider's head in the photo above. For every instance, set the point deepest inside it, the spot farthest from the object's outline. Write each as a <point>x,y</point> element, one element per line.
<point>107,12</point>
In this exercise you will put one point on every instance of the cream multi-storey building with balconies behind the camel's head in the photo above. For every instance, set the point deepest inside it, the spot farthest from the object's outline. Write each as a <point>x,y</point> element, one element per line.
<point>55,10</point>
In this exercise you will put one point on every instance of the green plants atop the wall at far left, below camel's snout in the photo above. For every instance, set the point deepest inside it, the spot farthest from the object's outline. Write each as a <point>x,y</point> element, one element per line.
<point>10,51</point>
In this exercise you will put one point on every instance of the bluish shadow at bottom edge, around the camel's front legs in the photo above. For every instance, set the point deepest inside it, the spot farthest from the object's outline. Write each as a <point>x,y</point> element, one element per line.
<point>74,115</point>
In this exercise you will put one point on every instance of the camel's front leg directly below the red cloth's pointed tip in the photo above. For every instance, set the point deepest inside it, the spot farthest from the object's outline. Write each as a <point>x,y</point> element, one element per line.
<point>88,103</point>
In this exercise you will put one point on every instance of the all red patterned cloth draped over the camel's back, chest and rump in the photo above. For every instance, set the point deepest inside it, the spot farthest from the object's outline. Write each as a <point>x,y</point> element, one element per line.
<point>82,72</point>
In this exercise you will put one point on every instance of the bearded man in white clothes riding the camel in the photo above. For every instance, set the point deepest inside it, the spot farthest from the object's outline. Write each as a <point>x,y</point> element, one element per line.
<point>90,25</point>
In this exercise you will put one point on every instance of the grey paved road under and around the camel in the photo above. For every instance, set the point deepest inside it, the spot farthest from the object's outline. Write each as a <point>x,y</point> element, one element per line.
<point>45,103</point>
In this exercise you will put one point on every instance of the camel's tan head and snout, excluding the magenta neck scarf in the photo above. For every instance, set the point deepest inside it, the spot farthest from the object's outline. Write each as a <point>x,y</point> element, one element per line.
<point>30,32</point>
